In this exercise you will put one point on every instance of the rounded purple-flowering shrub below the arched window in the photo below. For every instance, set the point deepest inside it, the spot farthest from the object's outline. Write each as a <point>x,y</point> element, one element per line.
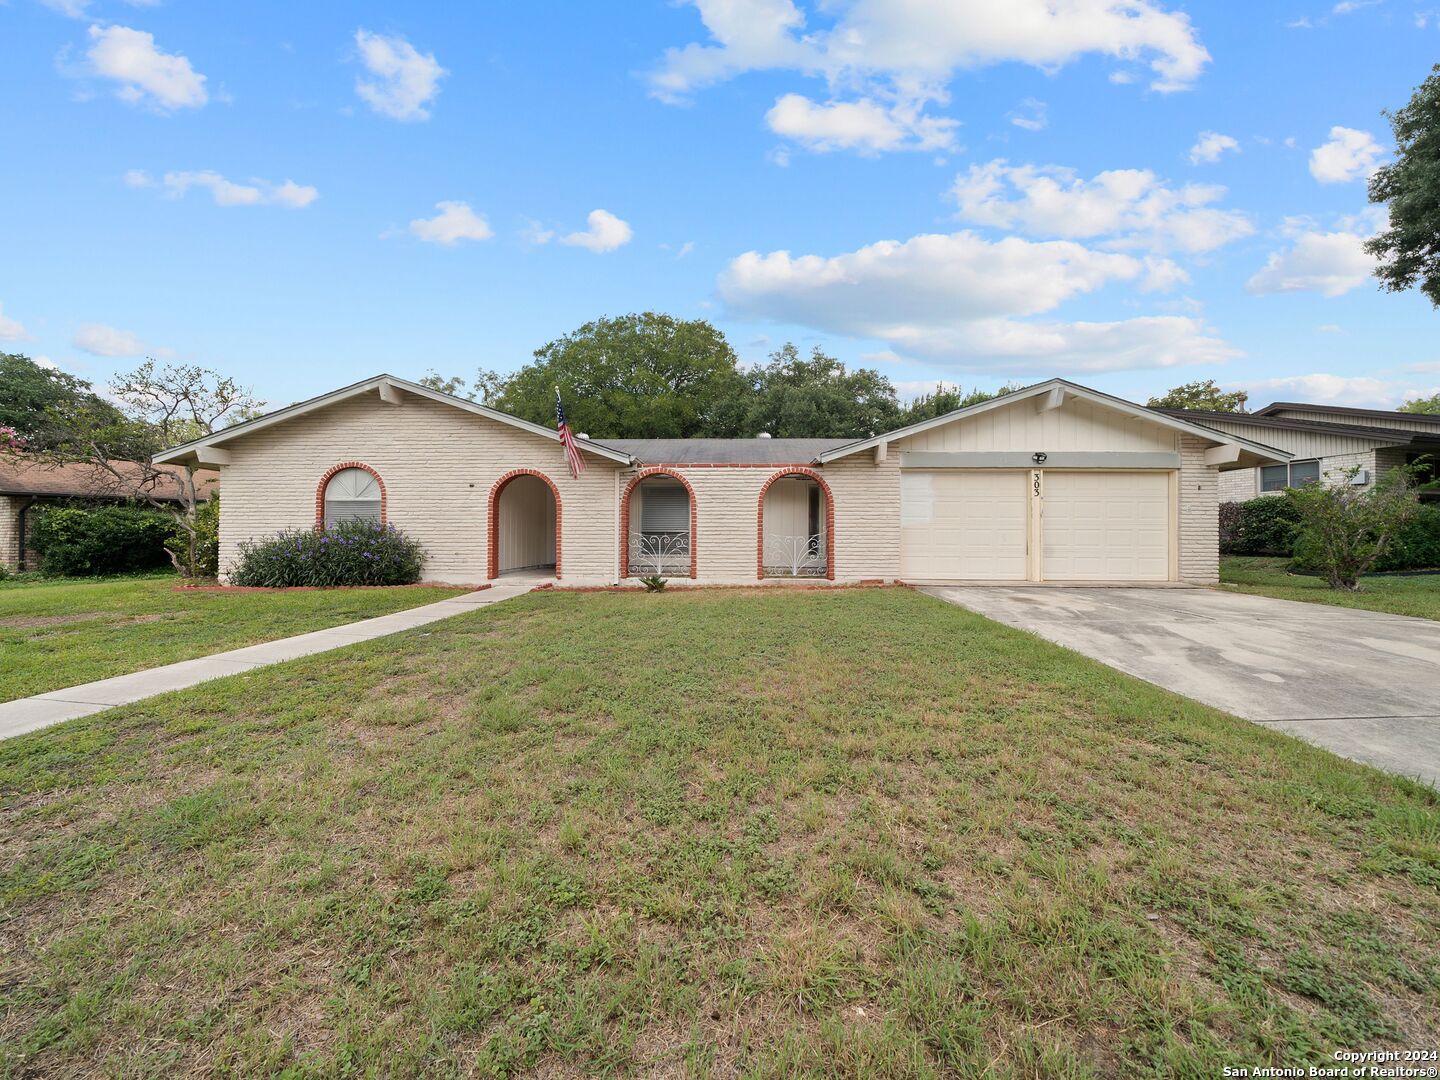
<point>345,554</point>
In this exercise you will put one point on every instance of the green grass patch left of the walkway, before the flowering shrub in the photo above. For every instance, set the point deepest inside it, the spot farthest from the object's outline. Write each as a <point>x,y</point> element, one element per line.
<point>60,633</point>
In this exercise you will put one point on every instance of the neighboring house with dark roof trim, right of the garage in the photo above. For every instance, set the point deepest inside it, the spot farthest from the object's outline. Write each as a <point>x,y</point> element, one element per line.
<point>1324,441</point>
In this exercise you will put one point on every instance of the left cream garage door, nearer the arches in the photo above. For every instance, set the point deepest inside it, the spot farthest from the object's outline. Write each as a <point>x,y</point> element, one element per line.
<point>963,526</point>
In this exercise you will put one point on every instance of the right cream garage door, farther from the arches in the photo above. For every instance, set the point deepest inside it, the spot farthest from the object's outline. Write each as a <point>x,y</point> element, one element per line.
<point>1107,526</point>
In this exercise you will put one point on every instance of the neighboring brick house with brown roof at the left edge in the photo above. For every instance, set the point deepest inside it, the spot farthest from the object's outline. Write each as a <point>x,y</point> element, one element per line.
<point>27,485</point>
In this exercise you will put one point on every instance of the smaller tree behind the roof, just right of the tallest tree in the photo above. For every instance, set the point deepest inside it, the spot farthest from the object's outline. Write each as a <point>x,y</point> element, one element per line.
<point>819,398</point>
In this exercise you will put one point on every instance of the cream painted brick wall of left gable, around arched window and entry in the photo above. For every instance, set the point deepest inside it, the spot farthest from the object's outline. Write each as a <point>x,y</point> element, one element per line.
<point>438,466</point>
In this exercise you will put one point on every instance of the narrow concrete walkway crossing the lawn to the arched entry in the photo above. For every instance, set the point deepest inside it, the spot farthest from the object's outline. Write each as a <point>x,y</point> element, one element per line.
<point>44,711</point>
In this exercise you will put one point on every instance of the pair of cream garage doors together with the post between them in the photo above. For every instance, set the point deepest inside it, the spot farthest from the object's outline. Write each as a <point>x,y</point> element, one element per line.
<point>1036,525</point>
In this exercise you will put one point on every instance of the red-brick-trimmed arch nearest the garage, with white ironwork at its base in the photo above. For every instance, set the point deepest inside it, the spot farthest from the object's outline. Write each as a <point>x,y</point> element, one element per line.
<point>796,529</point>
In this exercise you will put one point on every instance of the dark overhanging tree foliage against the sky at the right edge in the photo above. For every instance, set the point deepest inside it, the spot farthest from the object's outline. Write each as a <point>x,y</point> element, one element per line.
<point>1409,248</point>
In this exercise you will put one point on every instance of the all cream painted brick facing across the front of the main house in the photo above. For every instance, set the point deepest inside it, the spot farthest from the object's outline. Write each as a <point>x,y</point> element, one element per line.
<point>440,464</point>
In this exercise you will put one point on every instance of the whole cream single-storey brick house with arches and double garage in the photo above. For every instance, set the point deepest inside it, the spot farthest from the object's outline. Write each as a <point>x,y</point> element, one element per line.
<point>1050,483</point>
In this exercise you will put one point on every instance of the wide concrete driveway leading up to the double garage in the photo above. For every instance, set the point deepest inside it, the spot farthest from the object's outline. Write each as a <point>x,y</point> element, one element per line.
<point>1363,685</point>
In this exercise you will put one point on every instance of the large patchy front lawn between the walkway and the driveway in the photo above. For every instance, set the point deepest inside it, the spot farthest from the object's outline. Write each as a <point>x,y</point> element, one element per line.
<point>734,833</point>
